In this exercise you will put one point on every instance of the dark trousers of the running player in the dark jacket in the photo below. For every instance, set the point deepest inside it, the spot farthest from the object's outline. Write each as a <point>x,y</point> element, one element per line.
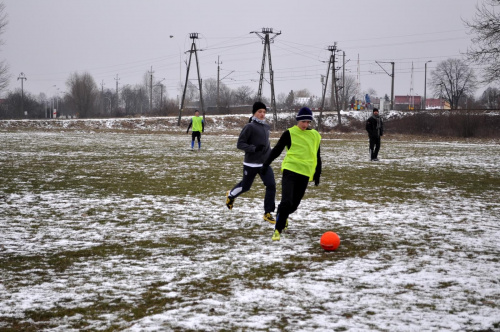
<point>249,174</point>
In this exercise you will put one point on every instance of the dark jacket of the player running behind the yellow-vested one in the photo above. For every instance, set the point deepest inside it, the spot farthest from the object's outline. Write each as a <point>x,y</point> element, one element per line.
<point>254,140</point>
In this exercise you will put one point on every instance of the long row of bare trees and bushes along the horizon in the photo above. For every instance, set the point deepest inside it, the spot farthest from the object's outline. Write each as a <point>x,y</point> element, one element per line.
<point>452,80</point>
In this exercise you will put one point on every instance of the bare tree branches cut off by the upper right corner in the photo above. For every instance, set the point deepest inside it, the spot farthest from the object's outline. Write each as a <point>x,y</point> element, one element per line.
<point>486,43</point>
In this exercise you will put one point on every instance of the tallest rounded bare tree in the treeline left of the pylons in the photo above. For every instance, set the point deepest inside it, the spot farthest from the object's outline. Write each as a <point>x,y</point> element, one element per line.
<point>82,93</point>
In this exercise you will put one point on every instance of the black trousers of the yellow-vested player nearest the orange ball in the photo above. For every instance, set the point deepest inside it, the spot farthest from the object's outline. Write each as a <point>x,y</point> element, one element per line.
<point>293,188</point>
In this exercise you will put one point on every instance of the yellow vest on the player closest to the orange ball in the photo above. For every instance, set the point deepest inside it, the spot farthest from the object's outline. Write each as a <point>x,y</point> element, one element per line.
<point>301,158</point>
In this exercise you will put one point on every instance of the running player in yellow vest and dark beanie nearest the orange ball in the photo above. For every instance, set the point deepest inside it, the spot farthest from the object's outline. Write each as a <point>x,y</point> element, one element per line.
<point>301,164</point>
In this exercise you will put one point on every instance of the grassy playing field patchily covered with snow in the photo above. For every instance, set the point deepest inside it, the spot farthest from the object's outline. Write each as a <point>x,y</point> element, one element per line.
<point>128,231</point>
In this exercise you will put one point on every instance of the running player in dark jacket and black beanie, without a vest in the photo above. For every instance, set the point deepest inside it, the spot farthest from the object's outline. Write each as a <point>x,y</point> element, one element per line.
<point>254,140</point>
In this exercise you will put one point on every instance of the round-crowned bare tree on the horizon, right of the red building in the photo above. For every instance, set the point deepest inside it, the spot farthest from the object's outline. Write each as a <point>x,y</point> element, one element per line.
<point>452,79</point>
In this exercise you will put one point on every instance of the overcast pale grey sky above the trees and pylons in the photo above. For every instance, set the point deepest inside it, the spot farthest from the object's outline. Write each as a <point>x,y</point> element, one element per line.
<point>48,40</point>
